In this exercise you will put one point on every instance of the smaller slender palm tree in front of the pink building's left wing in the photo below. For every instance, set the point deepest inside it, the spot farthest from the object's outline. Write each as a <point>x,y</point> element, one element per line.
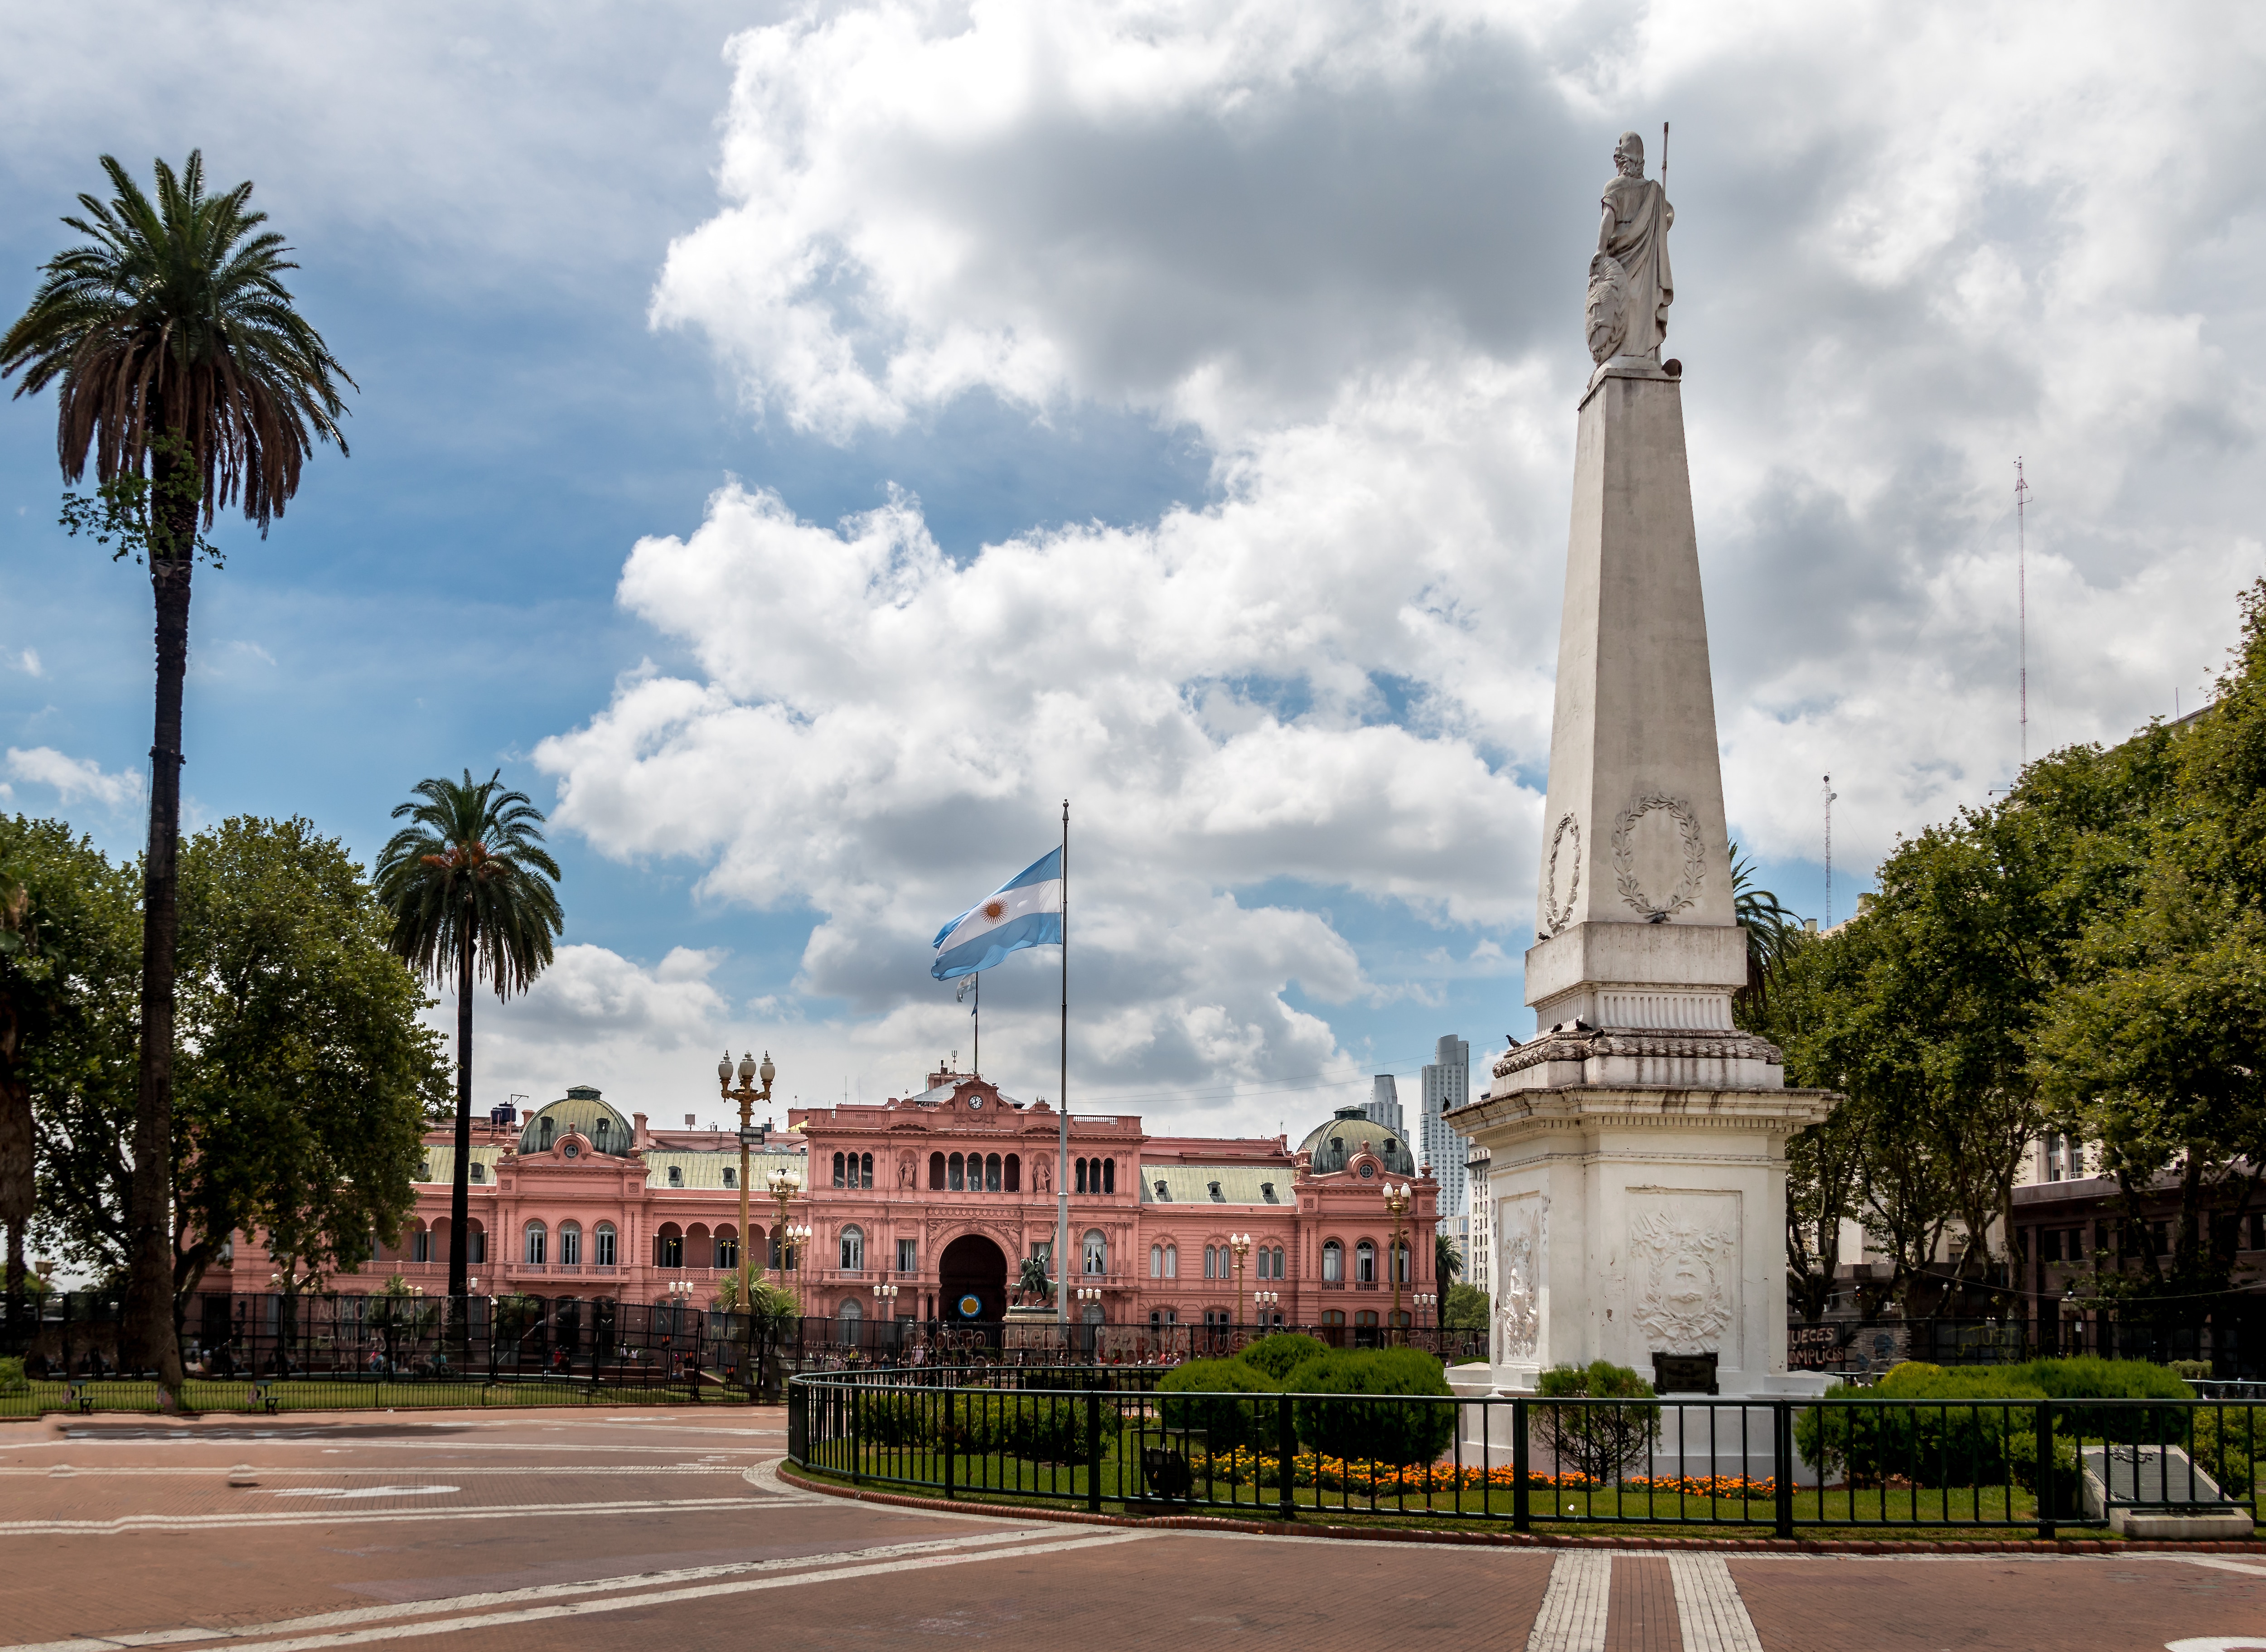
<point>470,894</point>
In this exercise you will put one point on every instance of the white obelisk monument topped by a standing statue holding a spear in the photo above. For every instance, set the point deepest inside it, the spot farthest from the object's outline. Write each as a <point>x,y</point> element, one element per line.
<point>1639,1141</point>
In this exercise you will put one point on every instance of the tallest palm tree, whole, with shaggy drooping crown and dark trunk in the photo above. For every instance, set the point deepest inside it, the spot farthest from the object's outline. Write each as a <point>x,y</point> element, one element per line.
<point>178,359</point>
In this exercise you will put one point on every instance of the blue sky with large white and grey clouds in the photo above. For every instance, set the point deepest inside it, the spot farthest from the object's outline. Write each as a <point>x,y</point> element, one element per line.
<point>803,445</point>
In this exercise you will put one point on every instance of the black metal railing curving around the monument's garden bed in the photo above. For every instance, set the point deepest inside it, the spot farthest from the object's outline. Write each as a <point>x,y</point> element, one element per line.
<point>1096,1436</point>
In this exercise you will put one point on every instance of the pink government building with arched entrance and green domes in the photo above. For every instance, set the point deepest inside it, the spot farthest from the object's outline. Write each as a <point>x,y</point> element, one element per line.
<point>939,1198</point>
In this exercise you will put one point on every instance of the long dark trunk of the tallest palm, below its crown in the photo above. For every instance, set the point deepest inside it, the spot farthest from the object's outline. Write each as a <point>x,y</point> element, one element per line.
<point>148,1331</point>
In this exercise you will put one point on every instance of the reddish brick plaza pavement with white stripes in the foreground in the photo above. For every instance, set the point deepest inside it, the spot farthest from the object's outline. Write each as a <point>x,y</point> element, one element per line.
<point>670,1531</point>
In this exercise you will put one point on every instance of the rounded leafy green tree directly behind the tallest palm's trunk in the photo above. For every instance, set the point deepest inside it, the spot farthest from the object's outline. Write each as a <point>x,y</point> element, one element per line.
<point>303,1084</point>
